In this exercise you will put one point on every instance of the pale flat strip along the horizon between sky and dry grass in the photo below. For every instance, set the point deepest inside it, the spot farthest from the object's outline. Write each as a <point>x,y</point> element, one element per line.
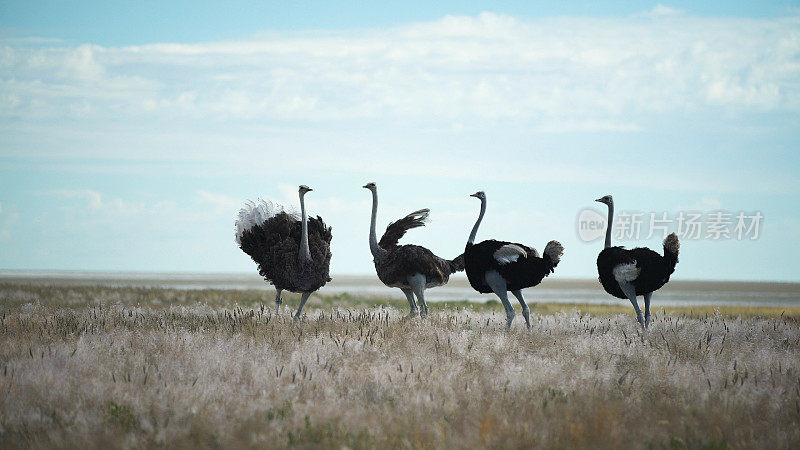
<point>554,290</point>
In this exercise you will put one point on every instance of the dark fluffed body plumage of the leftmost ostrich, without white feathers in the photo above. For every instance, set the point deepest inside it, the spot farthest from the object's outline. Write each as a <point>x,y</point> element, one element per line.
<point>274,245</point>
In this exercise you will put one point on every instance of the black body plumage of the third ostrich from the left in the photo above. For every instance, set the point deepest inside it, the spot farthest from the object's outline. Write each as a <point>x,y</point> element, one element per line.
<point>526,271</point>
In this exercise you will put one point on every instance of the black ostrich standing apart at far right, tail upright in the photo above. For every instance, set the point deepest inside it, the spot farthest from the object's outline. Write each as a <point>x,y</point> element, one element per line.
<point>640,271</point>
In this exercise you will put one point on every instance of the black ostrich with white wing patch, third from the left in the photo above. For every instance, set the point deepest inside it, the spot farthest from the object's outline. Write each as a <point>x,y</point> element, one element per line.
<point>499,266</point>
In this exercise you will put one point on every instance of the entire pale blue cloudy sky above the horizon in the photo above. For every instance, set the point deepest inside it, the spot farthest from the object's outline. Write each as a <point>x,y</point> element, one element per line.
<point>132,132</point>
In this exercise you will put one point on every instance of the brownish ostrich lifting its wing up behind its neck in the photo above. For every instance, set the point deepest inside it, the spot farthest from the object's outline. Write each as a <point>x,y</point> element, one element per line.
<point>409,267</point>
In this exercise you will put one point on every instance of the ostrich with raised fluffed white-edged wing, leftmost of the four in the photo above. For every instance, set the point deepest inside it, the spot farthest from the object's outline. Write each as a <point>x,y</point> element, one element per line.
<point>293,253</point>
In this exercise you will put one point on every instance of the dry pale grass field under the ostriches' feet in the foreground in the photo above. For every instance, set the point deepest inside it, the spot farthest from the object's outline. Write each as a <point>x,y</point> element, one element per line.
<point>137,367</point>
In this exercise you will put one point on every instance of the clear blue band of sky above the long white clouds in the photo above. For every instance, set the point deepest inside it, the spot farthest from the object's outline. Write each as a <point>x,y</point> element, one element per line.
<point>145,22</point>
